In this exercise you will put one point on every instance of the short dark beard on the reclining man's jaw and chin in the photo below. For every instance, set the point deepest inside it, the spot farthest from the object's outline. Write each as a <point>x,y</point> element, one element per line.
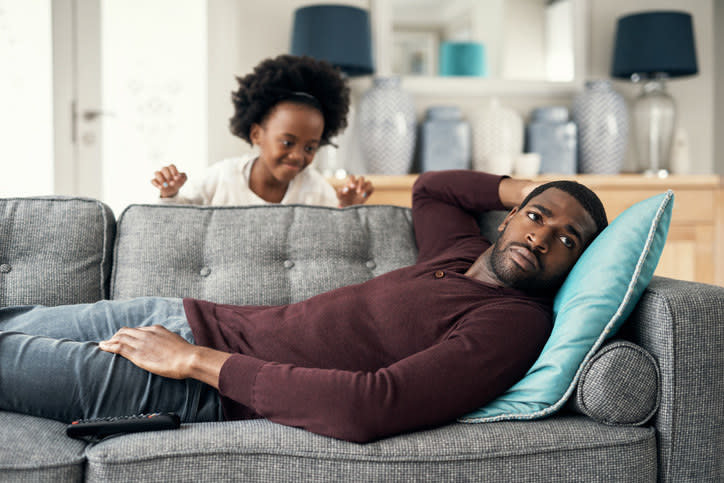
<point>509,273</point>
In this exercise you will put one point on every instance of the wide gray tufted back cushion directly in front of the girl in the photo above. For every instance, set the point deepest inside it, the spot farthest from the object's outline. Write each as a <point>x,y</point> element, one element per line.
<point>224,254</point>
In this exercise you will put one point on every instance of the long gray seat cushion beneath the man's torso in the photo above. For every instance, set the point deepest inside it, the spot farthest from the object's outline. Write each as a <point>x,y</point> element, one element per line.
<point>565,448</point>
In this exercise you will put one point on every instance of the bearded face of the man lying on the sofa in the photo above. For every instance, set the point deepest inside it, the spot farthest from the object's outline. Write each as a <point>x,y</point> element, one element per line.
<point>540,242</point>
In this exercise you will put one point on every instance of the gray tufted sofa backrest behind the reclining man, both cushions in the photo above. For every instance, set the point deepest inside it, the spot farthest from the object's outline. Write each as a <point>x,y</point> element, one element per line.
<point>61,250</point>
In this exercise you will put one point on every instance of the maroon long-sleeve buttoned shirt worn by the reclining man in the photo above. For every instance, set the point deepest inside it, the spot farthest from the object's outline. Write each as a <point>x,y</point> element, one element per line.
<point>416,347</point>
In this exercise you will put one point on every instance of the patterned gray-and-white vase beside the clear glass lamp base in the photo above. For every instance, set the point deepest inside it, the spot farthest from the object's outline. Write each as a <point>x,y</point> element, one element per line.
<point>602,121</point>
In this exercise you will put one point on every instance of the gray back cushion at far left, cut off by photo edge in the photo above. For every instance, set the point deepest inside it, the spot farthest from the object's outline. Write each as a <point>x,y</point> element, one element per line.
<point>54,250</point>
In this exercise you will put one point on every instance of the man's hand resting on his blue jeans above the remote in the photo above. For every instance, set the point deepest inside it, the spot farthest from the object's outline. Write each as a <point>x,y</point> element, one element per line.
<point>160,351</point>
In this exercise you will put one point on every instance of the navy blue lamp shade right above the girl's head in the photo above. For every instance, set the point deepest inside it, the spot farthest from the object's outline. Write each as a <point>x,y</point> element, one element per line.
<point>339,34</point>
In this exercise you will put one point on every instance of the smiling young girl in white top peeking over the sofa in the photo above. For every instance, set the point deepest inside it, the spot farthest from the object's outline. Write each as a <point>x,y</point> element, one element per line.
<point>288,108</point>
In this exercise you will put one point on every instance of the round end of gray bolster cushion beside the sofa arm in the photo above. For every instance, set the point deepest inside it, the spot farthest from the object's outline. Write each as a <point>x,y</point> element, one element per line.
<point>618,385</point>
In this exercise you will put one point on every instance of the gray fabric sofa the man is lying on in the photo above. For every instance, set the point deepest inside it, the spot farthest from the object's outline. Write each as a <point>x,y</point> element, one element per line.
<point>648,407</point>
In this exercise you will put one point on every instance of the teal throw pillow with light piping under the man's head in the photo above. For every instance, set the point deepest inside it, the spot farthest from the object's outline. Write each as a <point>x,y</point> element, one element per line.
<point>596,298</point>
